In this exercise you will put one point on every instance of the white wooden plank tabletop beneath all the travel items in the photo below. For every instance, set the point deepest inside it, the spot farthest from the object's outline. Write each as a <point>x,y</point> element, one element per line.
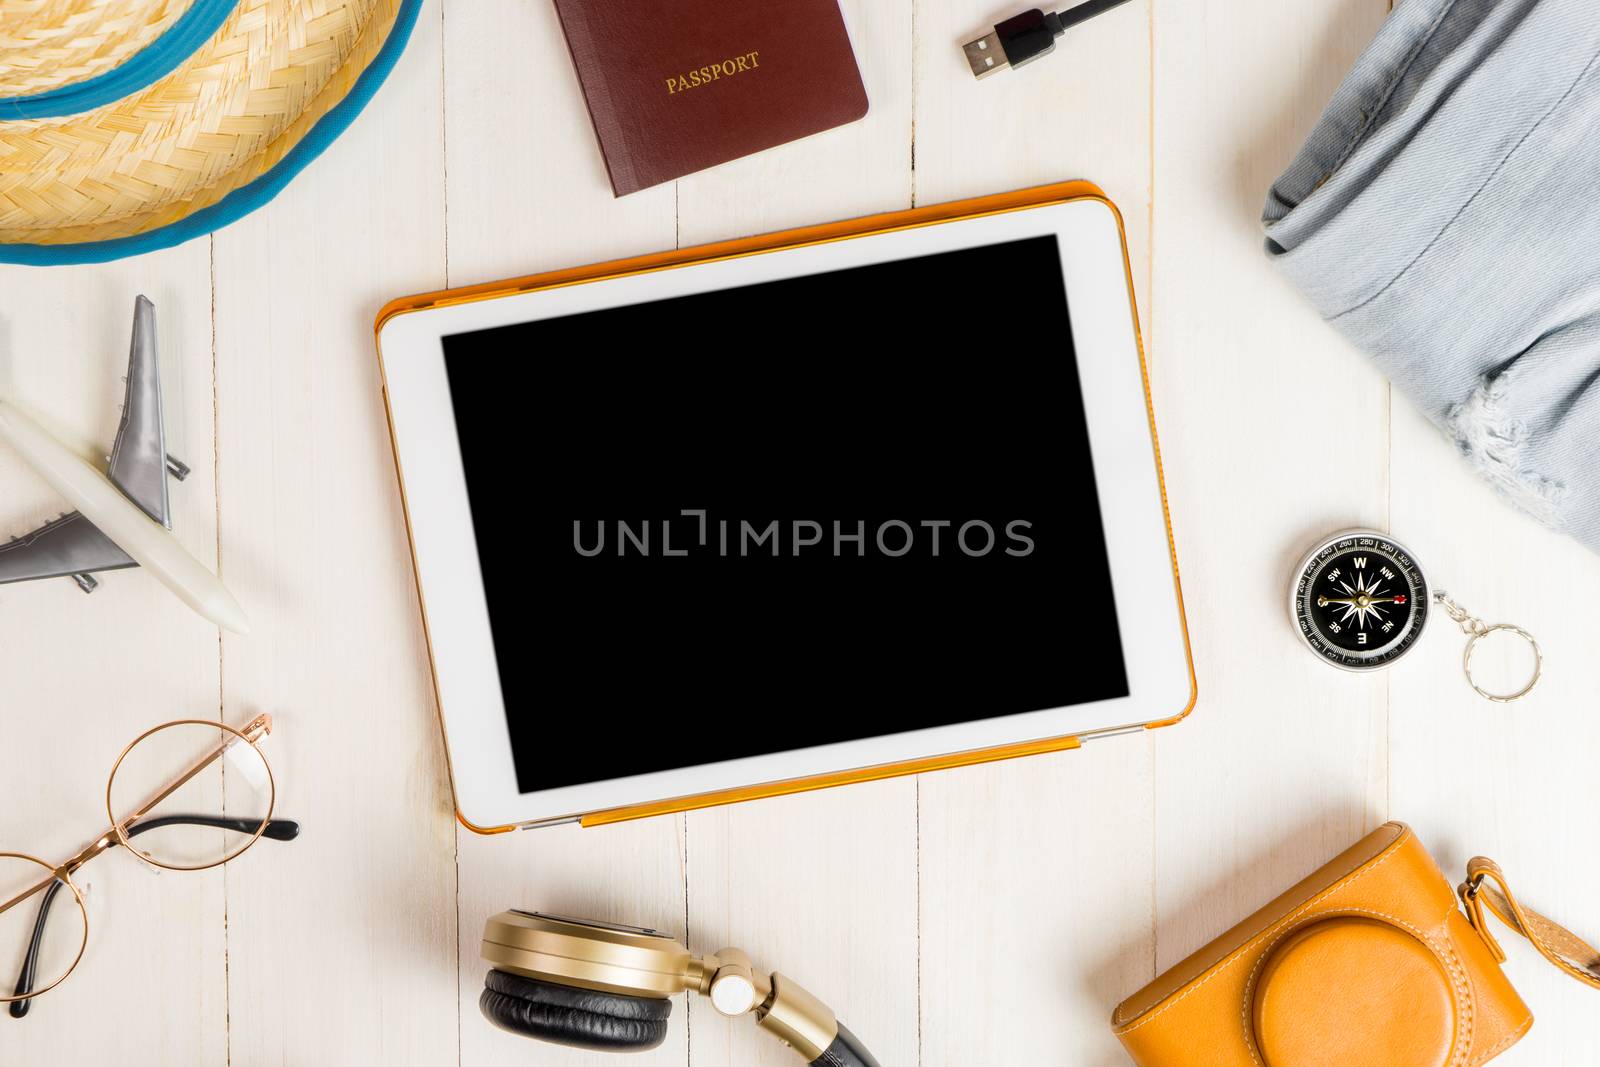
<point>994,914</point>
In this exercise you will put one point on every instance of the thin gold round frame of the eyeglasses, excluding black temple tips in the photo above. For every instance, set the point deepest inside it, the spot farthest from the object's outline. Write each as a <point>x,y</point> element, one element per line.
<point>118,834</point>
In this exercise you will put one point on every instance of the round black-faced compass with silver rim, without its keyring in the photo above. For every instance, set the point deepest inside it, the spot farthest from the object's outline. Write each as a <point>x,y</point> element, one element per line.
<point>1361,601</point>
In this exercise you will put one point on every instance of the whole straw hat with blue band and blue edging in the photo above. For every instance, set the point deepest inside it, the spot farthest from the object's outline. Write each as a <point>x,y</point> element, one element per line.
<point>129,126</point>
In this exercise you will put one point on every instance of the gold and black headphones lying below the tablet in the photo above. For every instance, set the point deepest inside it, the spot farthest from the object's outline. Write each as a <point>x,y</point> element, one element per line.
<point>607,988</point>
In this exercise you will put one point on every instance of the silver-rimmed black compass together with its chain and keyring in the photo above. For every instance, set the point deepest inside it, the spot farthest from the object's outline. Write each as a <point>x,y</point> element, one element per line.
<point>1361,602</point>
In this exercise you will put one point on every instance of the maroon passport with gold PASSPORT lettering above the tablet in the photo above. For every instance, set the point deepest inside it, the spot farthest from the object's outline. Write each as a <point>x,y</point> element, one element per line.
<point>681,86</point>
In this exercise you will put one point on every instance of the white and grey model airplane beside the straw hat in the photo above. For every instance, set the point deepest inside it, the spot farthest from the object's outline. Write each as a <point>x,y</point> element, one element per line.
<point>124,521</point>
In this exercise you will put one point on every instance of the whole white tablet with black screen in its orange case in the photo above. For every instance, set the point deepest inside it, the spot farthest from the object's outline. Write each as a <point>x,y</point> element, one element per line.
<point>796,511</point>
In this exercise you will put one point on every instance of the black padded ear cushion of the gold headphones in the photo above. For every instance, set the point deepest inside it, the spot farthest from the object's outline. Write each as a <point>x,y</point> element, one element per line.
<point>582,1018</point>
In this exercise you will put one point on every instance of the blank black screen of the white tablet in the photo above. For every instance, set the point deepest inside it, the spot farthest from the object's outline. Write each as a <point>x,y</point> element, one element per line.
<point>788,514</point>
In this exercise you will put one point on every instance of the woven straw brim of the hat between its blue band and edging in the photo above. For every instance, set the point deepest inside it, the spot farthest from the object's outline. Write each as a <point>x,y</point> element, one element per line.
<point>223,119</point>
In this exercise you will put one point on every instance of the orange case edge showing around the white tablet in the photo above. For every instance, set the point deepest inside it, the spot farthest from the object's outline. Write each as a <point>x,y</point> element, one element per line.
<point>999,204</point>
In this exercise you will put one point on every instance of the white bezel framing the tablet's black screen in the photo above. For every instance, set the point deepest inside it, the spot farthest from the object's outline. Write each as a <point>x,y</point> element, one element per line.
<point>1126,462</point>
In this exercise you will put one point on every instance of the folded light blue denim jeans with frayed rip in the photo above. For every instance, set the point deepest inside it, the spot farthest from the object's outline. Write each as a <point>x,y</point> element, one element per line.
<point>1446,217</point>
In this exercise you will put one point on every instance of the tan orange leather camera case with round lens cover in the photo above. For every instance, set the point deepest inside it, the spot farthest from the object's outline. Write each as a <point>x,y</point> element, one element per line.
<point>1369,962</point>
